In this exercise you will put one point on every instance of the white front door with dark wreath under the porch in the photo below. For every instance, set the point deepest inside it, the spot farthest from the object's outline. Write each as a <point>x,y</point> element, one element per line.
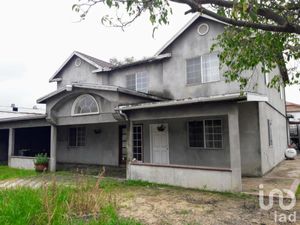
<point>159,143</point>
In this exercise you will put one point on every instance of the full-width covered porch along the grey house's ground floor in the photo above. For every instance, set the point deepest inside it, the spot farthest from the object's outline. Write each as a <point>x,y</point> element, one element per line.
<point>196,146</point>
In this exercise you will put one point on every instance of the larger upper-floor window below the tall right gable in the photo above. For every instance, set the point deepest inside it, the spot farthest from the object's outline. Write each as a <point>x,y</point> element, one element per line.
<point>203,69</point>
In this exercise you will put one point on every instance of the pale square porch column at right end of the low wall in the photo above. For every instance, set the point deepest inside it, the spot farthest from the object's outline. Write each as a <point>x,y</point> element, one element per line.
<point>235,152</point>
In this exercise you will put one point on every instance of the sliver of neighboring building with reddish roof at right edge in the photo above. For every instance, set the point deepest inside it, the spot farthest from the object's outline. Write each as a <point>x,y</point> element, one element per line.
<point>293,111</point>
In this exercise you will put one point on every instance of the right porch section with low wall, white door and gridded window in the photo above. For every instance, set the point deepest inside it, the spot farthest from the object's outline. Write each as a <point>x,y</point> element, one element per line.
<point>196,146</point>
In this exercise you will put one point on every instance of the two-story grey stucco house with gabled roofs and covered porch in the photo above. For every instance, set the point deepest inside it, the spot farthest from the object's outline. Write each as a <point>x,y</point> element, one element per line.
<point>172,117</point>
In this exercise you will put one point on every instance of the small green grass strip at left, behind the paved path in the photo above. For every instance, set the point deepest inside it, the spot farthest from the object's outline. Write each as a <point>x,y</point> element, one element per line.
<point>8,173</point>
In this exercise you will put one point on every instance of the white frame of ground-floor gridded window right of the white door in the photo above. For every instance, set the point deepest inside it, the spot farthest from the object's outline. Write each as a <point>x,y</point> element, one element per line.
<point>204,135</point>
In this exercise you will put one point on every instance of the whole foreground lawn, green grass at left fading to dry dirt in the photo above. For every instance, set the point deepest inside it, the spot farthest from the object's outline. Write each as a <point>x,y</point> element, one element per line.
<point>111,201</point>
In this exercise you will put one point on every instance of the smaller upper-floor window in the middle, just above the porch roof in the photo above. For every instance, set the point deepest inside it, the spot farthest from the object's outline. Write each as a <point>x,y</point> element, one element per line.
<point>137,82</point>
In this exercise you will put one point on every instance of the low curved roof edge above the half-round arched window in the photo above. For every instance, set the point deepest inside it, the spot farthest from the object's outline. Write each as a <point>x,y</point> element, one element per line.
<point>100,88</point>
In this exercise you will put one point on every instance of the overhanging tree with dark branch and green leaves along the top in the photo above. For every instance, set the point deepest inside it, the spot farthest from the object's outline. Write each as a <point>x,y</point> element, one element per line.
<point>260,34</point>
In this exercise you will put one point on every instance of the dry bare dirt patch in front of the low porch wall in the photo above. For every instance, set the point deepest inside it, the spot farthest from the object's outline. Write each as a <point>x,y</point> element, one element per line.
<point>179,206</point>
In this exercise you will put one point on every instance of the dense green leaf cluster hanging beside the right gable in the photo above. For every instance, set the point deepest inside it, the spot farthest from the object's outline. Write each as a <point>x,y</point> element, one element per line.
<point>247,49</point>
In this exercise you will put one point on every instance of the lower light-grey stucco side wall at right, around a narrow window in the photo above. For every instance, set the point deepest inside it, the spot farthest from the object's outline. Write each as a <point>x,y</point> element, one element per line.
<point>271,155</point>
